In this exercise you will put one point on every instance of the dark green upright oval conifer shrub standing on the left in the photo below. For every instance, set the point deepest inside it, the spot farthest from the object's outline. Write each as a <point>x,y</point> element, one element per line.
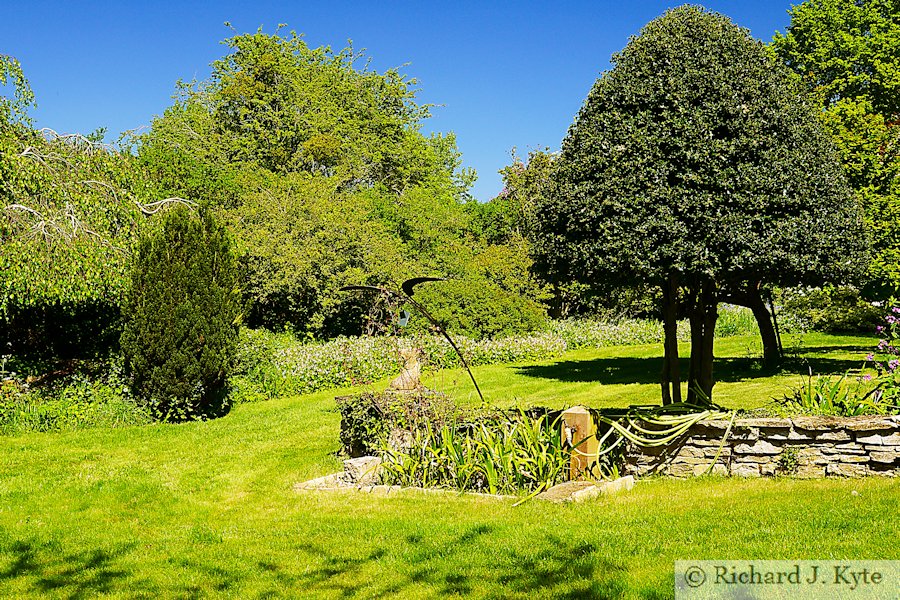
<point>182,314</point>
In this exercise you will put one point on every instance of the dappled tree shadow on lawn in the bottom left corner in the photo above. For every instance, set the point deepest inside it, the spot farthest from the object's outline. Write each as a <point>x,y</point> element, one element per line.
<point>84,574</point>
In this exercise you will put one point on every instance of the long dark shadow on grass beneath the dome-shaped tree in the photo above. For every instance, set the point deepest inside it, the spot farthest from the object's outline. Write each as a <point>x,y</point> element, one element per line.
<point>627,370</point>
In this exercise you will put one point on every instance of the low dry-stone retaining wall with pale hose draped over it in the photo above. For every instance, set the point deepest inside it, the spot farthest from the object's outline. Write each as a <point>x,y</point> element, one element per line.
<point>810,447</point>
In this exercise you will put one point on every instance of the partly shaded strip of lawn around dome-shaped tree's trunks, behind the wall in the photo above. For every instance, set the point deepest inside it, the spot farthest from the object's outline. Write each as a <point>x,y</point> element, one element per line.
<point>625,375</point>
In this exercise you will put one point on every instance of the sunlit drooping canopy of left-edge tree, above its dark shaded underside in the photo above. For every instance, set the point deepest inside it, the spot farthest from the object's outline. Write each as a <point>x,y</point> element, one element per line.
<point>69,203</point>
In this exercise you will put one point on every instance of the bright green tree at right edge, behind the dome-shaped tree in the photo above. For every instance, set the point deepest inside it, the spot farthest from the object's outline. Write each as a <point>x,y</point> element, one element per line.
<point>848,55</point>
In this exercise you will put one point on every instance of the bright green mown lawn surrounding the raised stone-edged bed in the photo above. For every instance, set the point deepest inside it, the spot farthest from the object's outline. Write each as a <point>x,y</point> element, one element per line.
<point>207,509</point>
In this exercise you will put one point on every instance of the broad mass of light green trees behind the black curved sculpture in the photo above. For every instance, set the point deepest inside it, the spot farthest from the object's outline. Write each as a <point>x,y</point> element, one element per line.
<point>319,168</point>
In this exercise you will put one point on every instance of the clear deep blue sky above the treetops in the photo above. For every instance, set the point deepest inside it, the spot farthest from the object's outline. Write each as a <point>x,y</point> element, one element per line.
<point>510,74</point>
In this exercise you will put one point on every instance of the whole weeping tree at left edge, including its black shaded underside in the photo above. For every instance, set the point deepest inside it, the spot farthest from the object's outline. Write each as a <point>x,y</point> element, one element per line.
<point>69,210</point>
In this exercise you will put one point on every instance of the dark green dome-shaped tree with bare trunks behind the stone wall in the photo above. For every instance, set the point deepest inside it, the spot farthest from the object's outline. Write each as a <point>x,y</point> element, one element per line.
<point>688,167</point>
